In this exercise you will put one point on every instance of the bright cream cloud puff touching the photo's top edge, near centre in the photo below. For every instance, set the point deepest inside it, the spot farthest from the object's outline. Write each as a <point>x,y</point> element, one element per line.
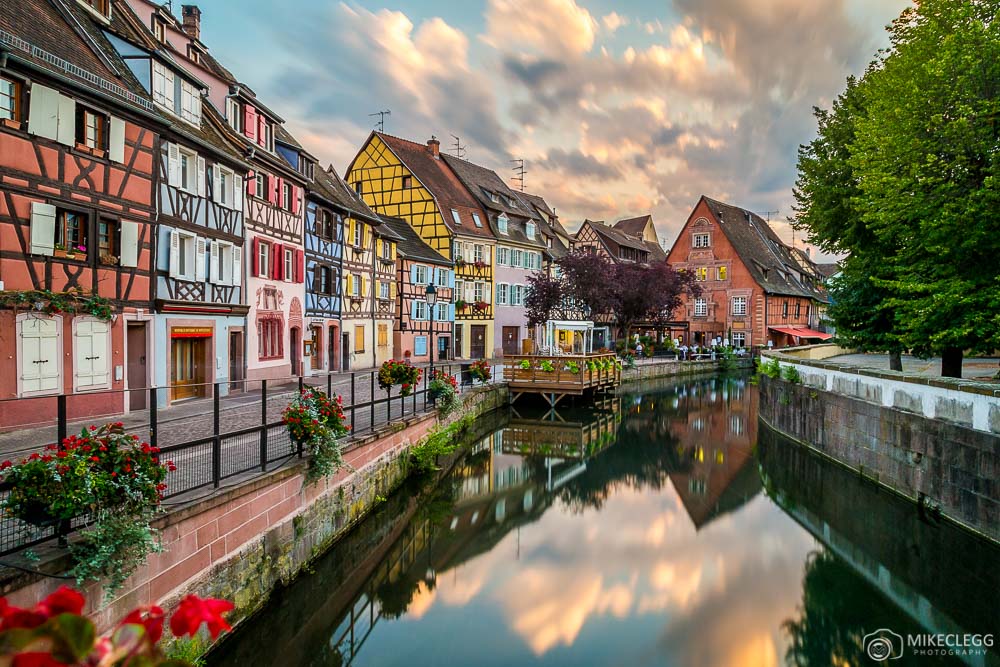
<point>543,27</point>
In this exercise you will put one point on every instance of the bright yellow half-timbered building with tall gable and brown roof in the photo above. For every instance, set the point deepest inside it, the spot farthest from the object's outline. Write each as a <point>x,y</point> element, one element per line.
<point>407,180</point>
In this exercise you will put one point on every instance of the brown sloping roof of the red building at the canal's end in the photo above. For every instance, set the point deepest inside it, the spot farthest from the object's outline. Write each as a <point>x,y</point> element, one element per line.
<point>770,262</point>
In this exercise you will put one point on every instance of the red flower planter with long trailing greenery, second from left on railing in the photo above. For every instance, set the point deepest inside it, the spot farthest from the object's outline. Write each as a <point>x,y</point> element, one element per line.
<point>316,422</point>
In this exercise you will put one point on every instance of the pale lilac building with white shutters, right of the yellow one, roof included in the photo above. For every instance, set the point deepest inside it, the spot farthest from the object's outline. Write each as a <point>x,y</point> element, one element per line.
<point>519,250</point>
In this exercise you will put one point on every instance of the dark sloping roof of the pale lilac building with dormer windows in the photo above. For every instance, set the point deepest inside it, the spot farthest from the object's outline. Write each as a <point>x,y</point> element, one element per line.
<point>485,185</point>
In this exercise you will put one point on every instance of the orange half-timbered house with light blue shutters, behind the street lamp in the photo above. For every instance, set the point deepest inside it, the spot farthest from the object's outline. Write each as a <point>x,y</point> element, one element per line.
<point>418,266</point>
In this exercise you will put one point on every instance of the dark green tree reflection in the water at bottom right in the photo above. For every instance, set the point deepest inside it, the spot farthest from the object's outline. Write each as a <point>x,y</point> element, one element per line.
<point>839,607</point>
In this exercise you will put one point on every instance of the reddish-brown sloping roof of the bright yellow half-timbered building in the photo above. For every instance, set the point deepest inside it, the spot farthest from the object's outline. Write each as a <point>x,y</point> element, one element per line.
<point>441,182</point>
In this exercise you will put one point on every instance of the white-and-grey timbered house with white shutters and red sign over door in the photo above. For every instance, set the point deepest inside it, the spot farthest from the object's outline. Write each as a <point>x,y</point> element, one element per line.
<point>199,297</point>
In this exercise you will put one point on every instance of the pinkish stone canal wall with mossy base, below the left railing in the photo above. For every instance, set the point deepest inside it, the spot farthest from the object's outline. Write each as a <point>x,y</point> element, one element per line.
<point>242,541</point>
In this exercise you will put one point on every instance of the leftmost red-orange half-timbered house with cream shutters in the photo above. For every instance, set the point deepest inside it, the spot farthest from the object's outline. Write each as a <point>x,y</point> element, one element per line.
<point>77,160</point>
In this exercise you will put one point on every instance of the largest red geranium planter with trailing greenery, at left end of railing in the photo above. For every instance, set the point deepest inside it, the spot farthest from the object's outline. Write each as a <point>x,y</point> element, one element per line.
<point>104,475</point>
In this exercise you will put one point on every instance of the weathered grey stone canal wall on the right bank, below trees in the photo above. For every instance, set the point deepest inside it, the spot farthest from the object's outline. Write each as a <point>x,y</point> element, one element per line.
<point>940,462</point>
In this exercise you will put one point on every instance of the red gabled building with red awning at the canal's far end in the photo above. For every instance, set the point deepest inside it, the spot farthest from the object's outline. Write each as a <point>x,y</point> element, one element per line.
<point>755,290</point>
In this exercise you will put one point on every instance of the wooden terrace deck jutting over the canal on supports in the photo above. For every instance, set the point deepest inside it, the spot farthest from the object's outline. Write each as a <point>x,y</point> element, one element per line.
<point>530,374</point>
